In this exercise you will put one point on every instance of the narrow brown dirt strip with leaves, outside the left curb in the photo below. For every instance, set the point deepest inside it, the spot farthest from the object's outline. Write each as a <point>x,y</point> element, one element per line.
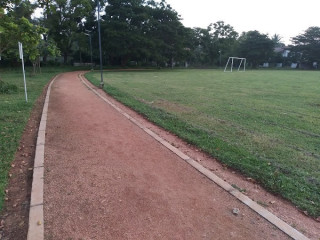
<point>15,214</point>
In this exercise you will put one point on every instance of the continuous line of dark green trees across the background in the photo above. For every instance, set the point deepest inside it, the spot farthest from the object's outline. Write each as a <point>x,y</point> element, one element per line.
<point>139,32</point>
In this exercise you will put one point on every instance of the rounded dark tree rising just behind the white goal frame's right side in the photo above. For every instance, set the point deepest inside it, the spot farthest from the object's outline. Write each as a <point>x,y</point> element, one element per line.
<point>256,47</point>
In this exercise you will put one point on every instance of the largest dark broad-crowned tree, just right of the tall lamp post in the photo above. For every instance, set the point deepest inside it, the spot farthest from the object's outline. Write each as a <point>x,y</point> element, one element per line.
<point>136,30</point>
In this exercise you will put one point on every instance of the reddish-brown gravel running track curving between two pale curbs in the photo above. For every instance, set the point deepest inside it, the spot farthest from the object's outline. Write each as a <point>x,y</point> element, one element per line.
<point>105,178</point>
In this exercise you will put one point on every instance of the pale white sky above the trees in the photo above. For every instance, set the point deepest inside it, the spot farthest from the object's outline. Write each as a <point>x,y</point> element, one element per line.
<point>287,18</point>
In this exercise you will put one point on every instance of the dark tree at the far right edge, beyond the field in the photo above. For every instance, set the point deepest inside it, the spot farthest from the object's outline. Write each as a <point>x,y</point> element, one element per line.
<point>308,45</point>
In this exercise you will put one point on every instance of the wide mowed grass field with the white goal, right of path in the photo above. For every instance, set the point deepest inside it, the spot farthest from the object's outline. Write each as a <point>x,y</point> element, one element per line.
<point>265,124</point>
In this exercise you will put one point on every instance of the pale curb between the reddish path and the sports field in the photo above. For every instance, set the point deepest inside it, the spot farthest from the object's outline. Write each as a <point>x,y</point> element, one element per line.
<point>280,224</point>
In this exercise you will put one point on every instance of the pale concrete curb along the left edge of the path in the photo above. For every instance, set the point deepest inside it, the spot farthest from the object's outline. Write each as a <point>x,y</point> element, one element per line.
<point>36,217</point>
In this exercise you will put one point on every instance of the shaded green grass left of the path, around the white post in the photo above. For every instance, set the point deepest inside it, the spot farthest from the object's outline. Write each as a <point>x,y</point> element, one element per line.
<point>14,114</point>
